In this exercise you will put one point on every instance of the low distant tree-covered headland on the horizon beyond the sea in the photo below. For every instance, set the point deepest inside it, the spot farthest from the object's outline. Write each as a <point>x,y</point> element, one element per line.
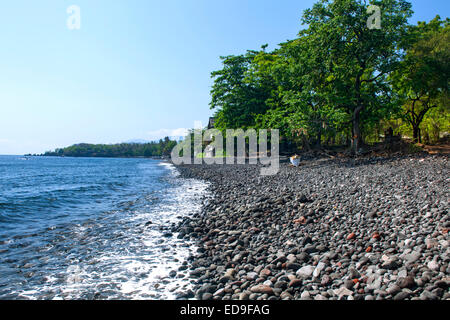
<point>152,149</point>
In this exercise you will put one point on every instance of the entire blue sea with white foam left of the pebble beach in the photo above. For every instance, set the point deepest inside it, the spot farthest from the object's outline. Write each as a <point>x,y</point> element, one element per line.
<point>77,228</point>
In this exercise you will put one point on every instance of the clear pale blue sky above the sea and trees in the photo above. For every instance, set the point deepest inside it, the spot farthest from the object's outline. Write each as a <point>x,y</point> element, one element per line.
<point>135,69</point>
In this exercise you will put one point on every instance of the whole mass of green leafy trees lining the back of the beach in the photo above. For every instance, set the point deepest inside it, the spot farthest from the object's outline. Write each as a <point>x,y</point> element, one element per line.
<point>339,81</point>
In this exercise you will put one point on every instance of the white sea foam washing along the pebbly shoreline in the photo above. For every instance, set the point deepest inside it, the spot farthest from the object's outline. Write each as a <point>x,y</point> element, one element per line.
<point>136,265</point>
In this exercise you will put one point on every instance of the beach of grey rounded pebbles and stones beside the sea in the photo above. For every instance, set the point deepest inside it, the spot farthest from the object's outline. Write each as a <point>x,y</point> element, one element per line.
<point>332,229</point>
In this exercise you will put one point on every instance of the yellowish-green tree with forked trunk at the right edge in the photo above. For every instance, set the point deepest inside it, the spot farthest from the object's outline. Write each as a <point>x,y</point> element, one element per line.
<point>422,78</point>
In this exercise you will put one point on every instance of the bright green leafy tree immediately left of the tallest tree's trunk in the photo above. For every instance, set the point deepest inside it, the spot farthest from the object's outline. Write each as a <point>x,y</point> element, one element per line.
<point>305,87</point>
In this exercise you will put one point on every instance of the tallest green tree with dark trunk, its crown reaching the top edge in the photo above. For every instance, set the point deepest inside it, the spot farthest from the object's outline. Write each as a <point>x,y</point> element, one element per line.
<point>357,58</point>
